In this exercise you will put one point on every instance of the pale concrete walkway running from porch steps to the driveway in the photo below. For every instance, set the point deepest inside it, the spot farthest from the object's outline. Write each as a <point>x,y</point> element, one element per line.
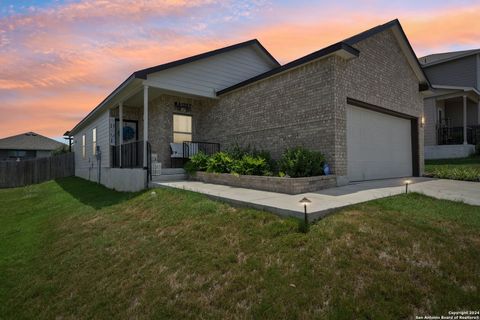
<point>326,201</point>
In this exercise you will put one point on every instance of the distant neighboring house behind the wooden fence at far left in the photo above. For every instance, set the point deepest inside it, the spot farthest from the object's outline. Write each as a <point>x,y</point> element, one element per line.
<point>26,146</point>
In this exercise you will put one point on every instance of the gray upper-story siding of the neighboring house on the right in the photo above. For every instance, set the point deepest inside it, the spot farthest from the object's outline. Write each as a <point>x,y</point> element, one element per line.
<point>461,72</point>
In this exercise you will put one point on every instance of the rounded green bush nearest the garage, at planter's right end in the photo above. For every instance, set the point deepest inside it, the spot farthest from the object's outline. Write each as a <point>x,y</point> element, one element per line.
<point>301,162</point>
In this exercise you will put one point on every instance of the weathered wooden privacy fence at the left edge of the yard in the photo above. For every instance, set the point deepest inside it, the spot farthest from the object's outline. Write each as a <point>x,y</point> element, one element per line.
<point>25,172</point>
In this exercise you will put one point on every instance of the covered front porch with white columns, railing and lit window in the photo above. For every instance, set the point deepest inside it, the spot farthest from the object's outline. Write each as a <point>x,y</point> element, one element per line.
<point>160,129</point>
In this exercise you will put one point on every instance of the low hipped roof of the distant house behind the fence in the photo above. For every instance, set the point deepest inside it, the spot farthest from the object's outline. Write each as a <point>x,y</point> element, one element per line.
<point>29,141</point>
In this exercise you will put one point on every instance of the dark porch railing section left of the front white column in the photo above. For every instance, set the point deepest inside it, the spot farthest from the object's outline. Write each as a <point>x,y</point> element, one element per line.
<point>132,155</point>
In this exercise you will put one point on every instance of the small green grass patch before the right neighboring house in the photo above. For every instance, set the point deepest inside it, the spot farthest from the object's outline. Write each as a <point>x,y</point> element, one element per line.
<point>467,169</point>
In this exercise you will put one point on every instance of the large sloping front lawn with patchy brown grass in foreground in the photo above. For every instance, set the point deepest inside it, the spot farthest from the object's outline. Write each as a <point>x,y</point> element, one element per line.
<point>71,249</point>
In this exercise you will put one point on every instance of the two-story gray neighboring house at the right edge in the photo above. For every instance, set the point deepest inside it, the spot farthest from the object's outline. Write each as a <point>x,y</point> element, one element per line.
<point>452,113</point>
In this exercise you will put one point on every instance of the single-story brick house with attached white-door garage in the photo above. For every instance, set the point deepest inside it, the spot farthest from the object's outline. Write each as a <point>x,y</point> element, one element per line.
<point>358,101</point>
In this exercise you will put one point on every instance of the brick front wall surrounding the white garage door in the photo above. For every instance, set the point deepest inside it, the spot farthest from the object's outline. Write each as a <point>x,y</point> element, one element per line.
<point>380,76</point>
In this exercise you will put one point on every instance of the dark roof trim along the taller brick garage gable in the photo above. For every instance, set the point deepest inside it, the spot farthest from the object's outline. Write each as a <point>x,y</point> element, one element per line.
<point>342,45</point>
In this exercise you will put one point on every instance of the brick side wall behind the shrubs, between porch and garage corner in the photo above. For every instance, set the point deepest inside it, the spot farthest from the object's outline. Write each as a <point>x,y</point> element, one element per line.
<point>294,108</point>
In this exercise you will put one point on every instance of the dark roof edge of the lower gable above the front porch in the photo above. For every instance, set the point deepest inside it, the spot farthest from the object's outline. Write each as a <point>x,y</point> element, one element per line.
<point>142,74</point>
